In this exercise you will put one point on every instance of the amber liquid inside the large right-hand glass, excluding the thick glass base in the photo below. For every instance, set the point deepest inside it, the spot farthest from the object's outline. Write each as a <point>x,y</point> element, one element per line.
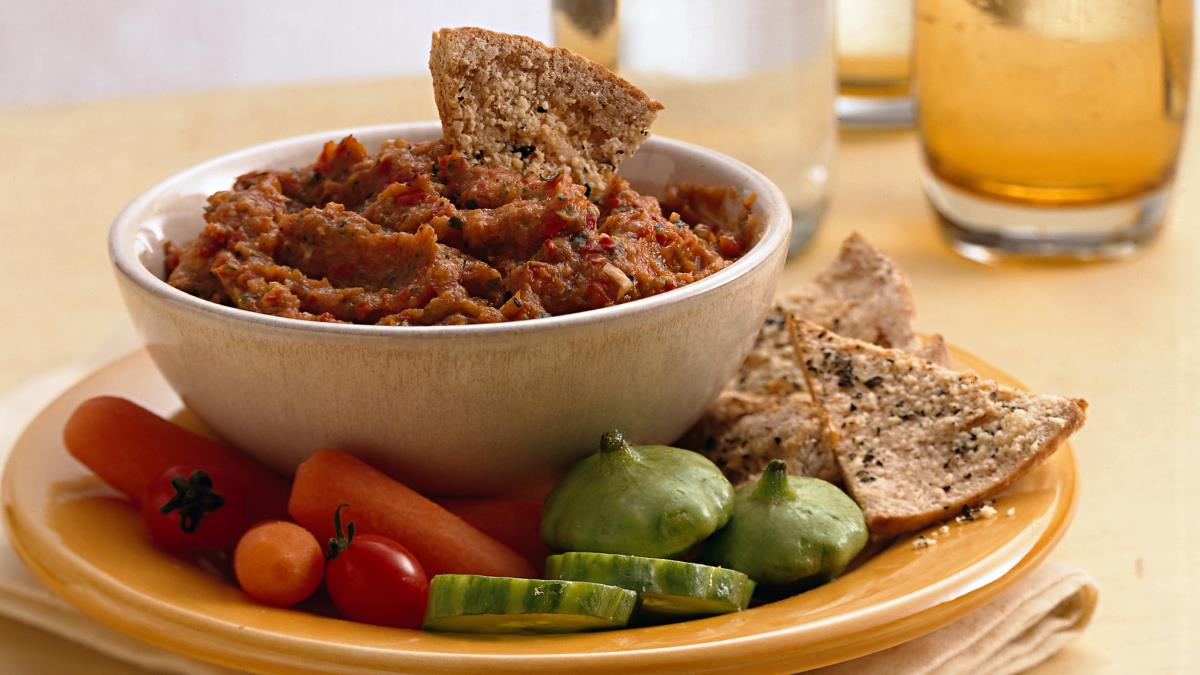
<point>1053,103</point>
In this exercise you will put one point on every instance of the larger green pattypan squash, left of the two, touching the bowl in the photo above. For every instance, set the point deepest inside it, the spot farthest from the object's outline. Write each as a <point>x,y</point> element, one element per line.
<point>652,501</point>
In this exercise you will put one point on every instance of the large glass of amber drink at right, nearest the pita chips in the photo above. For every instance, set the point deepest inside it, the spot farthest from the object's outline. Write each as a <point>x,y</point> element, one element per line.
<point>1051,129</point>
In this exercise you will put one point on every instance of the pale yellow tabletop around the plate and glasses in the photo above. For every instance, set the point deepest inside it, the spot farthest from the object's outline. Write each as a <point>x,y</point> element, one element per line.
<point>1125,336</point>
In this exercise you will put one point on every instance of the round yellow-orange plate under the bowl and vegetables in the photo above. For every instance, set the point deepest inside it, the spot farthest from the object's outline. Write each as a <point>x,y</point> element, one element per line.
<point>87,545</point>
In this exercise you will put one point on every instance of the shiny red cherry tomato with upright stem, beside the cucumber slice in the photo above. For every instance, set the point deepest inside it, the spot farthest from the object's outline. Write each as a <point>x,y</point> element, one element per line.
<point>374,580</point>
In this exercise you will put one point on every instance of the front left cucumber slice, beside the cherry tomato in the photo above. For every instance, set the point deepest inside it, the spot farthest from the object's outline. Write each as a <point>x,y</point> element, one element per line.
<point>471,604</point>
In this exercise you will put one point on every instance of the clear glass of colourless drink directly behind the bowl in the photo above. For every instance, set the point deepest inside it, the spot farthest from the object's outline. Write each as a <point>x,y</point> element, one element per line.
<point>754,80</point>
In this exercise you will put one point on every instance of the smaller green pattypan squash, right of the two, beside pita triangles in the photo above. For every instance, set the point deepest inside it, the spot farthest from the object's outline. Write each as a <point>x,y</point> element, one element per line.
<point>789,530</point>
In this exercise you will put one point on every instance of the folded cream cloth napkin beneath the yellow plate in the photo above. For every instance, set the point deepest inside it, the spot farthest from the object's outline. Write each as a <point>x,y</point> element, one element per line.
<point>1023,628</point>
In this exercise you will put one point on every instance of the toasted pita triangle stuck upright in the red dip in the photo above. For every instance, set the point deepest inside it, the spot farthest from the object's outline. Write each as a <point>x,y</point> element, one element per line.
<point>514,103</point>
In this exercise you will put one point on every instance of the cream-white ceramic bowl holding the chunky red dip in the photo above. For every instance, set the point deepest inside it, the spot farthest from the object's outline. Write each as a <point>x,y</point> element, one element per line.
<point>458,410</point>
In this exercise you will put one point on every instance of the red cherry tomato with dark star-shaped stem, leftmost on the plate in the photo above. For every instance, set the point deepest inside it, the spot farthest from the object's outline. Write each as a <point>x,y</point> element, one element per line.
<point>195,510</point>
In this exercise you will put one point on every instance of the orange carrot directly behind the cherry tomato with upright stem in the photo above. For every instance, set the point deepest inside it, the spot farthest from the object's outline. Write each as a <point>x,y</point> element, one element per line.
<point>379,505</point>
